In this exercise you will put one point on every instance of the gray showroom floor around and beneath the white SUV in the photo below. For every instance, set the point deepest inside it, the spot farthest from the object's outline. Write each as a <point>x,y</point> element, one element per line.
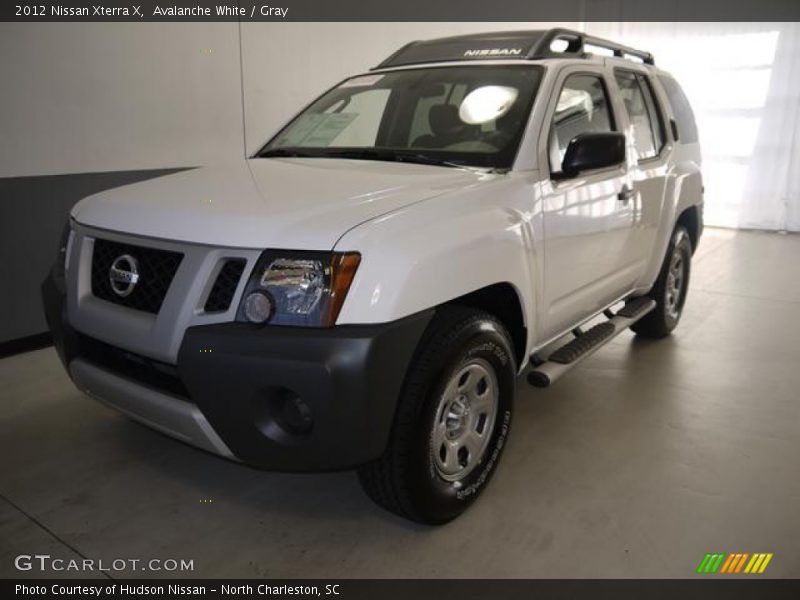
<point>635,465</point>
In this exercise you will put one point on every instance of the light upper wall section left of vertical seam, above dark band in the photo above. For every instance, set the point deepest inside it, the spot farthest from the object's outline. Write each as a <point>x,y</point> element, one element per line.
<point>84,97</point>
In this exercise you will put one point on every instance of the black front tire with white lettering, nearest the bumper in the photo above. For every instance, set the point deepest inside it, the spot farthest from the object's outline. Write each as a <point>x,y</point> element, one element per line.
<point>406,479</point>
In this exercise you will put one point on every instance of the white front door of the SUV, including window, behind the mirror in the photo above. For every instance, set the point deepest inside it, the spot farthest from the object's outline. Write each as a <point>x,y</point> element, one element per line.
<point>588,219</point>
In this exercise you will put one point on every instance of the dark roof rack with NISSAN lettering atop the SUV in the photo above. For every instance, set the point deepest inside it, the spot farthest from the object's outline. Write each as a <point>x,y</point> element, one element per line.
<point>524,45</point>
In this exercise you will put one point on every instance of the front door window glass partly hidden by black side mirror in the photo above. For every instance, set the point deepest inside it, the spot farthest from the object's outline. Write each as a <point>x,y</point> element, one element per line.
<point>582,108</point>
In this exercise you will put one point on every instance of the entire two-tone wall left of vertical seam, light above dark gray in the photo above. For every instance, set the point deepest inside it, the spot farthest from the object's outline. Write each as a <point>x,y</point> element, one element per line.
<point>86,107</point>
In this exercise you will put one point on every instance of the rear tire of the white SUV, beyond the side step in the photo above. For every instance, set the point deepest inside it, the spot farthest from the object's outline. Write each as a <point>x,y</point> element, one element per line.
<point>665,316</point>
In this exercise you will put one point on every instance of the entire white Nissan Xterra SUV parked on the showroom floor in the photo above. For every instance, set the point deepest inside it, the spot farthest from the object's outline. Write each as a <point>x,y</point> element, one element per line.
<point>366,289</point>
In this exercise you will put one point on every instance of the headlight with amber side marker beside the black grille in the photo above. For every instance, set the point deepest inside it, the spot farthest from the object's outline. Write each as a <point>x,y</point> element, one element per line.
<point>304,289</point>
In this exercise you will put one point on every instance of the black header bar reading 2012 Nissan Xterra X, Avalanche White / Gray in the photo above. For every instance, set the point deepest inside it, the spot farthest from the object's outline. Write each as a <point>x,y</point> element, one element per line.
<point>405,10</point>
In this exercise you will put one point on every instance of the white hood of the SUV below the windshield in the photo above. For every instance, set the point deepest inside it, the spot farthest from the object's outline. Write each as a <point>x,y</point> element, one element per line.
<point>292,203</point>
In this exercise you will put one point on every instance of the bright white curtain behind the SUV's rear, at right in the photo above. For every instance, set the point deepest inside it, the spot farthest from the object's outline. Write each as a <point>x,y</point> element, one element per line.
<point>743,80</point>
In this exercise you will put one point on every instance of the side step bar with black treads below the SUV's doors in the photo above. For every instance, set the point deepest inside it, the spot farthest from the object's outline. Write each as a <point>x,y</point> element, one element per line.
<point>586,343</point>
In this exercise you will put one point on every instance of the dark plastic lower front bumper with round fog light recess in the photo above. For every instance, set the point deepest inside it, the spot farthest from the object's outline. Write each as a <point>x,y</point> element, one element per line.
<point>346,378</point>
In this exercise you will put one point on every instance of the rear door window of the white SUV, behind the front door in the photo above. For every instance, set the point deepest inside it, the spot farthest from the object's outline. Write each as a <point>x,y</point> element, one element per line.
<point>642,113</point>
